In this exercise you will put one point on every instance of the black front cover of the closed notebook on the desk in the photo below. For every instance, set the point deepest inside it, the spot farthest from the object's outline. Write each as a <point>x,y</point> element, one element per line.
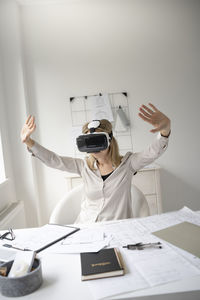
<point>103,261</point>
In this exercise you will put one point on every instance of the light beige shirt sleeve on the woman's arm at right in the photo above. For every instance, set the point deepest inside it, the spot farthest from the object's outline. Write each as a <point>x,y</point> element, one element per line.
<point>151,153</point>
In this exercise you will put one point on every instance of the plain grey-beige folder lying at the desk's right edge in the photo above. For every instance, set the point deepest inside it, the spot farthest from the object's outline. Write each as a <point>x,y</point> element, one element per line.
<point>184,235</point>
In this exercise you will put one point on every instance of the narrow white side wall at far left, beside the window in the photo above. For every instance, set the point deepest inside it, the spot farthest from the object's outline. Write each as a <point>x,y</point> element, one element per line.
<point>13,110</point>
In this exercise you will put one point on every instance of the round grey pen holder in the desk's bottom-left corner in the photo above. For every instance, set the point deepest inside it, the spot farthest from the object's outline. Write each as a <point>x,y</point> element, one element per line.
<point>23,285</point>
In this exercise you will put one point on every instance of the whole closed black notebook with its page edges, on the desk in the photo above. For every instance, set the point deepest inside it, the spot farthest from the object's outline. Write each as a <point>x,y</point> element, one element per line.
<point>105,263</point>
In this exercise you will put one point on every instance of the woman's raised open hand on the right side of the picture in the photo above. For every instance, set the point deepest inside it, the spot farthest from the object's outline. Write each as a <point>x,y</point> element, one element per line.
<point>154,117</point>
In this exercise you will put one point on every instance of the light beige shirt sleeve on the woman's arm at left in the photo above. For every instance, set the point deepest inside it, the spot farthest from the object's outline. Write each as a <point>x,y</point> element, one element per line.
<point>53,160</point>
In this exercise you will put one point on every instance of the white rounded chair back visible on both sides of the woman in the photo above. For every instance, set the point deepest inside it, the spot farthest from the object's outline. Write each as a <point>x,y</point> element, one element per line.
<point>68,208</point>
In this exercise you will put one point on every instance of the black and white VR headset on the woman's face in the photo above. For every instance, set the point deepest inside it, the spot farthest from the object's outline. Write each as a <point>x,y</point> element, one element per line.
<point>93,141</point>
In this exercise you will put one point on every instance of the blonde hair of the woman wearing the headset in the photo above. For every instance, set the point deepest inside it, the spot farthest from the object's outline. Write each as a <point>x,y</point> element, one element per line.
<point>105,126</point>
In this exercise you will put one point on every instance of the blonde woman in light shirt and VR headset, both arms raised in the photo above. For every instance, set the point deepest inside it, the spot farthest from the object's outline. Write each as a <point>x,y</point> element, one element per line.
<point>106,174</point>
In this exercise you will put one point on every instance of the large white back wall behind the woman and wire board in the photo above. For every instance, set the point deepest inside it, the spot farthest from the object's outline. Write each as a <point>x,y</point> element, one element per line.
<point>148,48</point>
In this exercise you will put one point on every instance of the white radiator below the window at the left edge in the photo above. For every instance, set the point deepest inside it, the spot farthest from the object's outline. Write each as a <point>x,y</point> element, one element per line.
<point>13,217</point>
